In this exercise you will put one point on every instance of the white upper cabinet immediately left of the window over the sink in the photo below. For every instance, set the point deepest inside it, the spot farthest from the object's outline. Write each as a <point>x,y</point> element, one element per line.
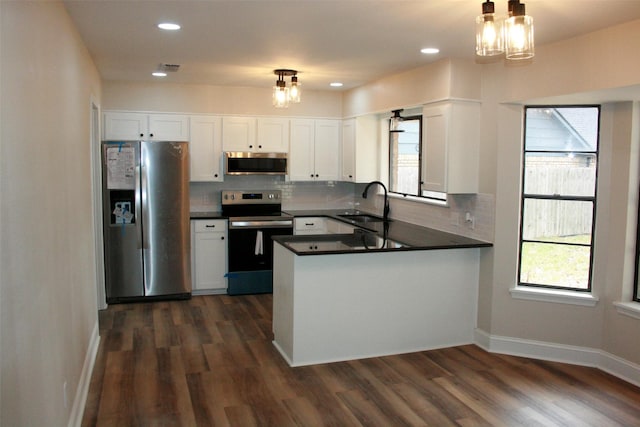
<point>360,149</point>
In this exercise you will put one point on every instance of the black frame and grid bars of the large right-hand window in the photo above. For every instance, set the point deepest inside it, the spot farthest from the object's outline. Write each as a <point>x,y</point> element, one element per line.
<point>524,196</point>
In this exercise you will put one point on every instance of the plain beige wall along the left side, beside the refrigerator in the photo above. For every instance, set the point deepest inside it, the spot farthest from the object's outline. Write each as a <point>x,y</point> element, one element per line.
<point>47,267</point>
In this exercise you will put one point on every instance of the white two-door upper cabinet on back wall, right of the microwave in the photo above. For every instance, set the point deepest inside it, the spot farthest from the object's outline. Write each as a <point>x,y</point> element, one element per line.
<point>314,150</point>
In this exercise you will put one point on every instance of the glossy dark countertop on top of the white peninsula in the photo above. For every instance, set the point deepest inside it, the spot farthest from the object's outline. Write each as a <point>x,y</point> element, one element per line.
<point>383,237</point>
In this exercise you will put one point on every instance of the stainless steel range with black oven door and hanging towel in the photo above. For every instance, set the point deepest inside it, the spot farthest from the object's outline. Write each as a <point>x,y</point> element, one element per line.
<point>254,217</point>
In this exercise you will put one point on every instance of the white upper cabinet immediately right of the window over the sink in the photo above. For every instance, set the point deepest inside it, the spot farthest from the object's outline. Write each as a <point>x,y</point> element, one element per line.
<point>451,147</point>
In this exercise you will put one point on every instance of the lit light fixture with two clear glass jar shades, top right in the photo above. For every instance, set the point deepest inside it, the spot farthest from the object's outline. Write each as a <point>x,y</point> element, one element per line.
<point>512,36</point>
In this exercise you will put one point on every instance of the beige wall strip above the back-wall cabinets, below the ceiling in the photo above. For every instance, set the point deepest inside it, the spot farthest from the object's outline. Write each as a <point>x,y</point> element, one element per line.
<point>204,99</point>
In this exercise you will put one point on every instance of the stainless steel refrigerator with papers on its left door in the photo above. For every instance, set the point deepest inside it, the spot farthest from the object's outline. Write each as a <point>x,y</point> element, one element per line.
<point>146,220</point>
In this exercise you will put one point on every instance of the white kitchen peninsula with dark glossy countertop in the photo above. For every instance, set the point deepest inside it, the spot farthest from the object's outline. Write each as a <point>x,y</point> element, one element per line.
<point>391,288</point>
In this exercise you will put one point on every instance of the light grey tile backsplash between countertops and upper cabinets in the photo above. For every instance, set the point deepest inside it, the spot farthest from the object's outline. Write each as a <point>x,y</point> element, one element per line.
<point>470,215</point>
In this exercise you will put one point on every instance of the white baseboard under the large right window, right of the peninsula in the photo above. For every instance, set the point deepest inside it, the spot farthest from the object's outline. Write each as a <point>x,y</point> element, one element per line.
<point>574,355</point>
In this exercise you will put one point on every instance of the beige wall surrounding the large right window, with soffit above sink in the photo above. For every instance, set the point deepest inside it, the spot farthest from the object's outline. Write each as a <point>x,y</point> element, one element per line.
<point>596,68</point>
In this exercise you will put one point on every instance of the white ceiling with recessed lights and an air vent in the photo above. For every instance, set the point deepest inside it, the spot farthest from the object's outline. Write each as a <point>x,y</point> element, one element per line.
<point>241,42</point>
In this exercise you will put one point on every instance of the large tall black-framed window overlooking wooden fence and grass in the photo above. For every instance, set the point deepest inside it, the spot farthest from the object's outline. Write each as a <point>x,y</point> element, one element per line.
<point>559,181</point>
